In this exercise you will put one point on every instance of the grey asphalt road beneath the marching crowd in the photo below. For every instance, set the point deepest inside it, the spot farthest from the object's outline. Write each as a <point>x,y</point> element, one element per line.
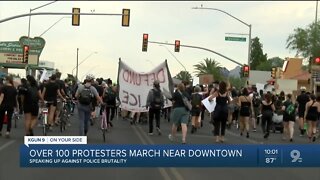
<point>124,133</point>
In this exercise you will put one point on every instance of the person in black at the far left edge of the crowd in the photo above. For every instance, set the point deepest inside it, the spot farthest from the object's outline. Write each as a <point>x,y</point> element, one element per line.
<point>8,101</point>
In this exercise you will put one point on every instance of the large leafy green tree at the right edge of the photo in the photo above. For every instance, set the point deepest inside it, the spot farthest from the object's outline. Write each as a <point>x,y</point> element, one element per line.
<point>306,41</point>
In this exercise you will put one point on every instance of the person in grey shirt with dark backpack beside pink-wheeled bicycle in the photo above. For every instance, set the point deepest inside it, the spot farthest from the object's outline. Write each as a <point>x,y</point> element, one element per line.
<point>85,94</point>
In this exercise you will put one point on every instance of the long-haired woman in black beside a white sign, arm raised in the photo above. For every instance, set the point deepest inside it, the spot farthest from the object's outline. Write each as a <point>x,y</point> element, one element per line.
<point>220,115</point>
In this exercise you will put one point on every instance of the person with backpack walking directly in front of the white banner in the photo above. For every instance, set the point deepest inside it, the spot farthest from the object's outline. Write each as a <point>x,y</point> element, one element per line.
<point>155,102</point>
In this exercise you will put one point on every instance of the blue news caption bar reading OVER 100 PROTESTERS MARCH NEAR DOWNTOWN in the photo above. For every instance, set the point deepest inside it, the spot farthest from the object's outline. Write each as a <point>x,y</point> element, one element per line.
<point>73,151</point>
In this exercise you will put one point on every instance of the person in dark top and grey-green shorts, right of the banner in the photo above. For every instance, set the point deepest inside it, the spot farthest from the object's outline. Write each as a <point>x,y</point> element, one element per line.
<point>180,114</point>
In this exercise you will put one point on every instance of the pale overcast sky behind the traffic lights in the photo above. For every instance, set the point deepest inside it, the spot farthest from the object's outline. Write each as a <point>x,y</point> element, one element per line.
<point>165,21</point>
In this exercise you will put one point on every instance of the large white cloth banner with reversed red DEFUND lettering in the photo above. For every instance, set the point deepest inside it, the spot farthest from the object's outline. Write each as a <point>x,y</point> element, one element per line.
<point>134,86</point>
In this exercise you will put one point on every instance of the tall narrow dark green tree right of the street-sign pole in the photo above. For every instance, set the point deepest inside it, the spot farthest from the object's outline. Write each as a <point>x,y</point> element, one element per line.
<point>257,57</point>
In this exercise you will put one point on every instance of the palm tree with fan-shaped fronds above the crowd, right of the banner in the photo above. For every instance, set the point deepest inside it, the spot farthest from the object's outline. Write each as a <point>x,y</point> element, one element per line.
<point>209,66</point>
